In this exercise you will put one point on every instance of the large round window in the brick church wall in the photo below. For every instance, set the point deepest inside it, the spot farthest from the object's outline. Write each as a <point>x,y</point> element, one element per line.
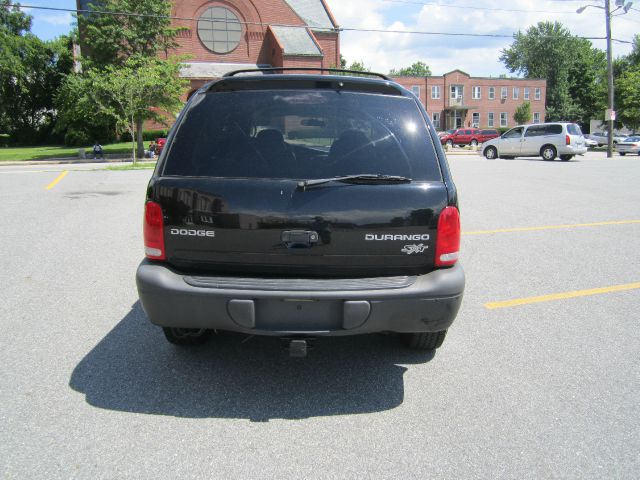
<point>219,29</point>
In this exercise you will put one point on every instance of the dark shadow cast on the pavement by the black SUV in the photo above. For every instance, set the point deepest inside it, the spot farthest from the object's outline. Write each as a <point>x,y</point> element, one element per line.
<point>134,369</point>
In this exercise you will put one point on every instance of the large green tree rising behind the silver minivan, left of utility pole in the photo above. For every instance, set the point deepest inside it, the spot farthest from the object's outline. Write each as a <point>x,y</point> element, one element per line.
<point>572,67</point>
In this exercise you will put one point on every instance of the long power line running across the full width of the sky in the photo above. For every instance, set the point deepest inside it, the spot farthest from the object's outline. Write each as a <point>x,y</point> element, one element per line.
<point>346,29</point>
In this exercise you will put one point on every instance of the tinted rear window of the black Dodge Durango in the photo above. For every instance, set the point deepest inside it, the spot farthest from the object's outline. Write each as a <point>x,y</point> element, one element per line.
<point>302,134</point>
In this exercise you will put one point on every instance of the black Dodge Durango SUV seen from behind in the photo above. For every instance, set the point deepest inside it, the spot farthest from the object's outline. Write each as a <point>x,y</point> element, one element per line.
<point>301,205</point>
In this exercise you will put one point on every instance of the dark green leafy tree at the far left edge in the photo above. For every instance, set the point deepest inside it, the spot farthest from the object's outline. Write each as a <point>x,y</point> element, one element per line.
<point>30,72</point>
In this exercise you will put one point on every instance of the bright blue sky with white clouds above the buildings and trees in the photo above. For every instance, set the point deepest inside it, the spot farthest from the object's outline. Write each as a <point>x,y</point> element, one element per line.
<point>381,52</point>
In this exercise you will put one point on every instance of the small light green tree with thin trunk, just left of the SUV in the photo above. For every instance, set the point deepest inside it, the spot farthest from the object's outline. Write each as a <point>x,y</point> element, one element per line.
<point>125,93</point>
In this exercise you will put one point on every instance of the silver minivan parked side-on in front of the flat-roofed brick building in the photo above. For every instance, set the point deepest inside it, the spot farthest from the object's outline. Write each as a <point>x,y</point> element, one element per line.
<point>545,139</point>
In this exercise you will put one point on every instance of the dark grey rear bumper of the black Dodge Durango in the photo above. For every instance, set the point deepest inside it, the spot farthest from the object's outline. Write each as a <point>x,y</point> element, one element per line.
<point>425,303</point>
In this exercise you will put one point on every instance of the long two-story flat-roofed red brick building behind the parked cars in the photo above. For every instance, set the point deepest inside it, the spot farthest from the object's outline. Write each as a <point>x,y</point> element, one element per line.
<point>457,100</point>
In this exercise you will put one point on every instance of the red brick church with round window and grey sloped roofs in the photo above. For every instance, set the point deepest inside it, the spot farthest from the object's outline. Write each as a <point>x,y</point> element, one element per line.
<point>225,35</point>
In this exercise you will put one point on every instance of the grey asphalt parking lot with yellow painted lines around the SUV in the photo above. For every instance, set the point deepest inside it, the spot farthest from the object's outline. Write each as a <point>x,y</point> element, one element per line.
<point>539,376</point>
